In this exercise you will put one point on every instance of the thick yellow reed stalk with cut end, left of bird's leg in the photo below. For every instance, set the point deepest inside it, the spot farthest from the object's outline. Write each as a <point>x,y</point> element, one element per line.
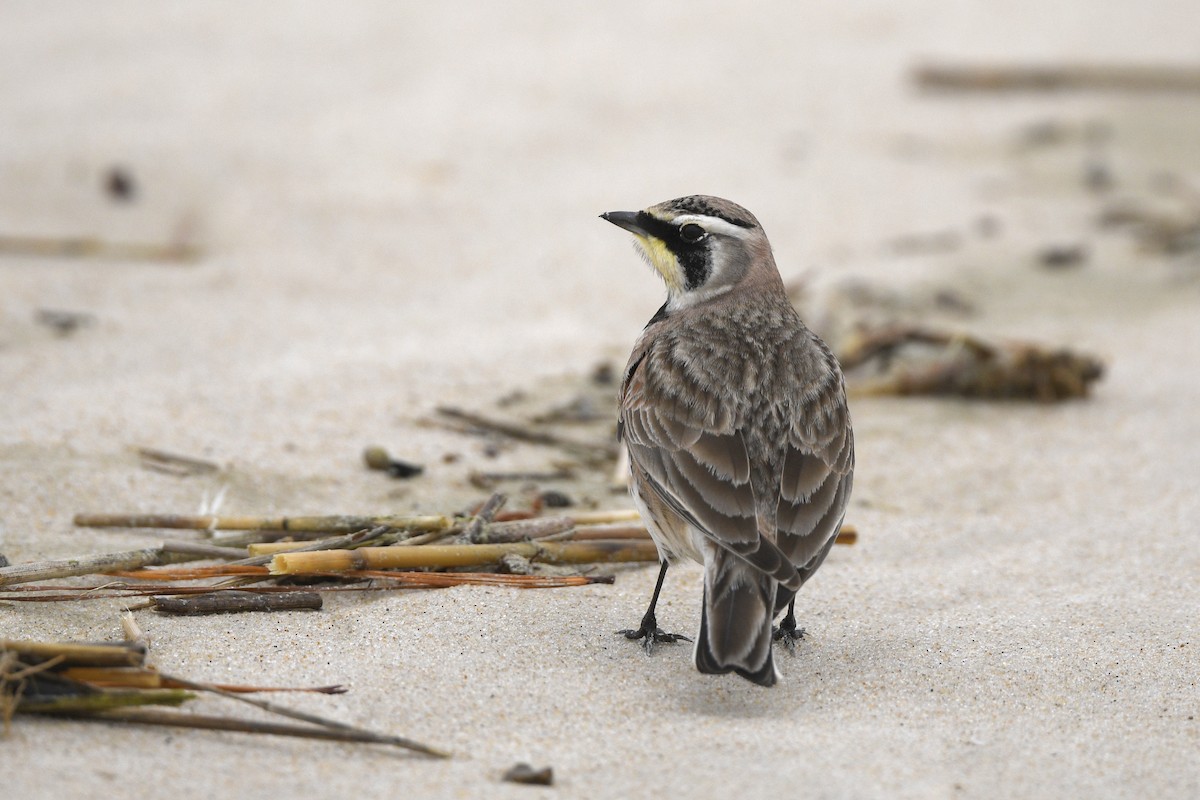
<point>435,556</point>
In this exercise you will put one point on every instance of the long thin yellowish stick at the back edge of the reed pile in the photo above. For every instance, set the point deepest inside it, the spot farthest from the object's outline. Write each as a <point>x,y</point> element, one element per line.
<point>331,525</point>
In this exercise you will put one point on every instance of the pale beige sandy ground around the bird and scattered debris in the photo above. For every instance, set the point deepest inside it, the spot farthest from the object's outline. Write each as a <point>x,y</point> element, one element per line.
<point>398,210</point>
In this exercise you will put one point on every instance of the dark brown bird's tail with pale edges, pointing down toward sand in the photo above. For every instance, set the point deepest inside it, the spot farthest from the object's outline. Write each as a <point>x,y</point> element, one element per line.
<point>735,625</point>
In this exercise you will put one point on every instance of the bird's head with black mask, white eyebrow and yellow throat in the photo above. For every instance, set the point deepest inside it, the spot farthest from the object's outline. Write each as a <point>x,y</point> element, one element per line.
<point>703,246</point>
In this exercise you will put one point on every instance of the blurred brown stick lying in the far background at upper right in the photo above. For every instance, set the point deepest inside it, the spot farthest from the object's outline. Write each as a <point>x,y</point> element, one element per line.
<point>1099,77</point>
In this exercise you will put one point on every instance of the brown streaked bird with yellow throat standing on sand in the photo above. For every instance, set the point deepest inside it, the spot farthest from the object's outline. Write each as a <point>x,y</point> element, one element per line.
<point>740,438</point>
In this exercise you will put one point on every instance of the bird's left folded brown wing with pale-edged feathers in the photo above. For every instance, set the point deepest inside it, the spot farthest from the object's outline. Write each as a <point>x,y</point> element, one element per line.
<point>697,464</point>
